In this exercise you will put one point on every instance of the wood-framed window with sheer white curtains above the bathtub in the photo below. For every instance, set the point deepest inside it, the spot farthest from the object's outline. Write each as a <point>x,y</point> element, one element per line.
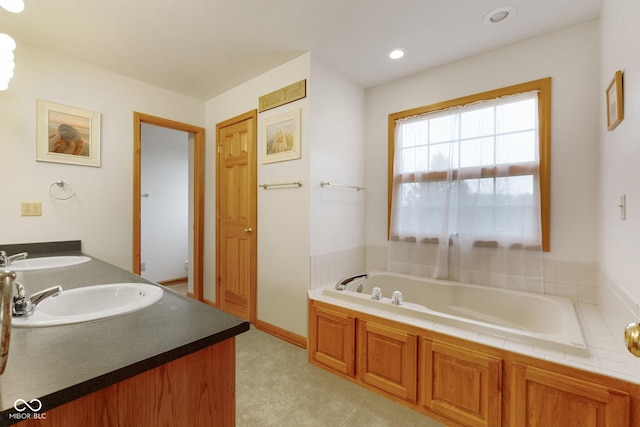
<point>490,150</point>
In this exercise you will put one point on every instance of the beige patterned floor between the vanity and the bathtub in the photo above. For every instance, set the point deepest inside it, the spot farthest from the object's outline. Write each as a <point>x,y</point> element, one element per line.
<point>276,386</point>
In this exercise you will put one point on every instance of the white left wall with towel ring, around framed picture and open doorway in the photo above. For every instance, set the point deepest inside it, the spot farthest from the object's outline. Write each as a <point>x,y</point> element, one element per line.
<point>101,213</point>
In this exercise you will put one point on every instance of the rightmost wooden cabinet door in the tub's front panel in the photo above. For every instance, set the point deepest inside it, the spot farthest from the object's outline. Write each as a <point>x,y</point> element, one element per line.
<point>545,398</point>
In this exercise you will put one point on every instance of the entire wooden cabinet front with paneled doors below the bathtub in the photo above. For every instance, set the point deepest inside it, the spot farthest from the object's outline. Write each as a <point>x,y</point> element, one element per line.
<point>463,383</point>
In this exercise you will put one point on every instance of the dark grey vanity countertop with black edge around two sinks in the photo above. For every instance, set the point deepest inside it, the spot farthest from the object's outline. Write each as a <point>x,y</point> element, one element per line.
<point>58,364</point>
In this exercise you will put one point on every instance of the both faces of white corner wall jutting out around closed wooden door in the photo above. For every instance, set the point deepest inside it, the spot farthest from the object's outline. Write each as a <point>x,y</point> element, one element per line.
<point>296,223</point>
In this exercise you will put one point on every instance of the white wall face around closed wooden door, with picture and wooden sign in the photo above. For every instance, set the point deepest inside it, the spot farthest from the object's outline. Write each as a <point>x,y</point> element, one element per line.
<point>283,214</point>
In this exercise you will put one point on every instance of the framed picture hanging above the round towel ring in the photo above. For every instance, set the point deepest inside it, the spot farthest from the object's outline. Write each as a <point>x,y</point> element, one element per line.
<point>67,134</point>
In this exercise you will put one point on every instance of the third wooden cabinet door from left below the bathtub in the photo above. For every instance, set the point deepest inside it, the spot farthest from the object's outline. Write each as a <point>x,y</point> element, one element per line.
<point>461,384</point>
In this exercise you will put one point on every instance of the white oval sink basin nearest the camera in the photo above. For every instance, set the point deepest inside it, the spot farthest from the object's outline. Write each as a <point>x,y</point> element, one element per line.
<point>90,303</point>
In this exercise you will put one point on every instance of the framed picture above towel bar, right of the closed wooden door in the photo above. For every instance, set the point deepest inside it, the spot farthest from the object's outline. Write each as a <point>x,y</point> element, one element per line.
<point>281,137</point>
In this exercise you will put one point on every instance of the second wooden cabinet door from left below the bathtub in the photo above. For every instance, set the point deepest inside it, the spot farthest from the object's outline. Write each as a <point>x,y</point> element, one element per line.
<point>387,359</point>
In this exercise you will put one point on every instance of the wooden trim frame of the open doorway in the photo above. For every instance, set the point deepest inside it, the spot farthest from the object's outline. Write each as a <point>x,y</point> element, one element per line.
<point>196,200</point>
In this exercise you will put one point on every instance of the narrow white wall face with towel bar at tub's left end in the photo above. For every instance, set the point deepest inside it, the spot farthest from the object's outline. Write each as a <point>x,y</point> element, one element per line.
<point>337,155</point>
